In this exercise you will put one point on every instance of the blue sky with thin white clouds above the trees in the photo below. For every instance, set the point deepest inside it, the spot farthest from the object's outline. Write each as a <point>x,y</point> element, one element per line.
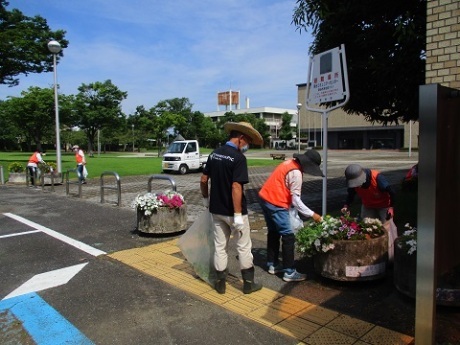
<point>159,49</point>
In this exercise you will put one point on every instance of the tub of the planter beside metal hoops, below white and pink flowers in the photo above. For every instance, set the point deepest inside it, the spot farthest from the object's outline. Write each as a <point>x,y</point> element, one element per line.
<point>163,220</point>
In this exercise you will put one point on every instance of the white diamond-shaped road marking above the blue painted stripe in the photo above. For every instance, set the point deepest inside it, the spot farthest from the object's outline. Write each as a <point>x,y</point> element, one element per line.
<point>47,280</point>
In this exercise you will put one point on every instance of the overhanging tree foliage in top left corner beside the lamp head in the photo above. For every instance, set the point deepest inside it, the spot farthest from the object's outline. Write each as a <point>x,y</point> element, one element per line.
<point>24,44</point>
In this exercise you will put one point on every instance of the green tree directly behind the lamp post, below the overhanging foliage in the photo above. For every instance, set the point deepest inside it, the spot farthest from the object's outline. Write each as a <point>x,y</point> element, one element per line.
<point>33,114</point>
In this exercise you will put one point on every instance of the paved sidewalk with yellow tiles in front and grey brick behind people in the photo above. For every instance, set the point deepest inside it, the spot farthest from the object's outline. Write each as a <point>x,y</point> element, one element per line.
<point>365,313</point>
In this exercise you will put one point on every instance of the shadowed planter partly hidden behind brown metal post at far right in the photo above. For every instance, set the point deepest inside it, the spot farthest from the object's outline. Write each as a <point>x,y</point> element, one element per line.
<point>405,268</point>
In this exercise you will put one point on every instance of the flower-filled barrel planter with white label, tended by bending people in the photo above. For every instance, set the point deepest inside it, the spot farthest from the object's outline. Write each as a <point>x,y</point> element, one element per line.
<point>345,249</point>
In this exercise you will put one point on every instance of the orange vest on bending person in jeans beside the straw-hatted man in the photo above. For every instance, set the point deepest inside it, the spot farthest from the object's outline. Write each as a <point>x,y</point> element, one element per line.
<point>274,189</point>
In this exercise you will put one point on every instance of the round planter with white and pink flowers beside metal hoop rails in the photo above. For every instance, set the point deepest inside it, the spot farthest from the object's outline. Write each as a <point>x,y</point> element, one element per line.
<point>160,213</point>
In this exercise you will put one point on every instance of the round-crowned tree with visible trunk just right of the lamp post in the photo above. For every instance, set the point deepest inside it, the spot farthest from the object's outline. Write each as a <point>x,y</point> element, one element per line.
<point>98,106</point>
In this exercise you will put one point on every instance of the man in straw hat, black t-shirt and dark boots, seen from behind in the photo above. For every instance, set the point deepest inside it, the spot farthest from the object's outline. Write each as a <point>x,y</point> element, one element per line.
<point>228,171</point>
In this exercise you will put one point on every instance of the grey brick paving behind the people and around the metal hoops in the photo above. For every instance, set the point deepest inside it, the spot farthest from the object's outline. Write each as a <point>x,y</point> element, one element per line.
<point>393,164</point>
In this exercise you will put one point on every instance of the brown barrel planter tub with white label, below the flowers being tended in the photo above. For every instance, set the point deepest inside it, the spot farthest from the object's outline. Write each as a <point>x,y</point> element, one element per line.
<point>354,260</point>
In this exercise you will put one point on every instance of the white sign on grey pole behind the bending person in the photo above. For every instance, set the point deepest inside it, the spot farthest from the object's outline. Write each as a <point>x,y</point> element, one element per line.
<point>327,81</point>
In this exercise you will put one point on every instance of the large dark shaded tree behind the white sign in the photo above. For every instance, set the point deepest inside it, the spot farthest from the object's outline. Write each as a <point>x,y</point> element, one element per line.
<point>384,43</point>
